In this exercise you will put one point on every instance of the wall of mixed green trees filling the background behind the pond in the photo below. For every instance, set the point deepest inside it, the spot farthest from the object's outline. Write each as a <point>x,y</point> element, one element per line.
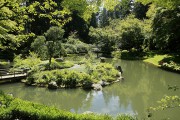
<point>136,26</point>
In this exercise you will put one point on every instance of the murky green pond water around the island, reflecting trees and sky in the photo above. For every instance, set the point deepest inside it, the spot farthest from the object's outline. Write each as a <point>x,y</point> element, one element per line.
<point>142,87</point>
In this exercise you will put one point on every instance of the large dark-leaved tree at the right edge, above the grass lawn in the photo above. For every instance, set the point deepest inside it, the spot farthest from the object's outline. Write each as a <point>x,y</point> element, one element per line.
<point>166,28</point>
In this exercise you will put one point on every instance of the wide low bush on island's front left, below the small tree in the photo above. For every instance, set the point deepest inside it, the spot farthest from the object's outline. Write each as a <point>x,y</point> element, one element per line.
<point>63,78</point>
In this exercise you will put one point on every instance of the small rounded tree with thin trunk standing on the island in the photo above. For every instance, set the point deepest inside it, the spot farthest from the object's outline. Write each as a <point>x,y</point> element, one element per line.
<point>54,37</point>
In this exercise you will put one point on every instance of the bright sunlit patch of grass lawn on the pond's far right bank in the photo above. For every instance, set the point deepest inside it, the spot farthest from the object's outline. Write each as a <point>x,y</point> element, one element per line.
<point>155,59</point>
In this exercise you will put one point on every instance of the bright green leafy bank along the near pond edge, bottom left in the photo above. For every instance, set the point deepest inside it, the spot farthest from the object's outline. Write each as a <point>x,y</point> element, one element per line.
<point>14,108</point>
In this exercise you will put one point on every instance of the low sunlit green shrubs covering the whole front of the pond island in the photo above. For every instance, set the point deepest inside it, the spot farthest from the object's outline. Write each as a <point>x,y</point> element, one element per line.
<point>71,79</point>
